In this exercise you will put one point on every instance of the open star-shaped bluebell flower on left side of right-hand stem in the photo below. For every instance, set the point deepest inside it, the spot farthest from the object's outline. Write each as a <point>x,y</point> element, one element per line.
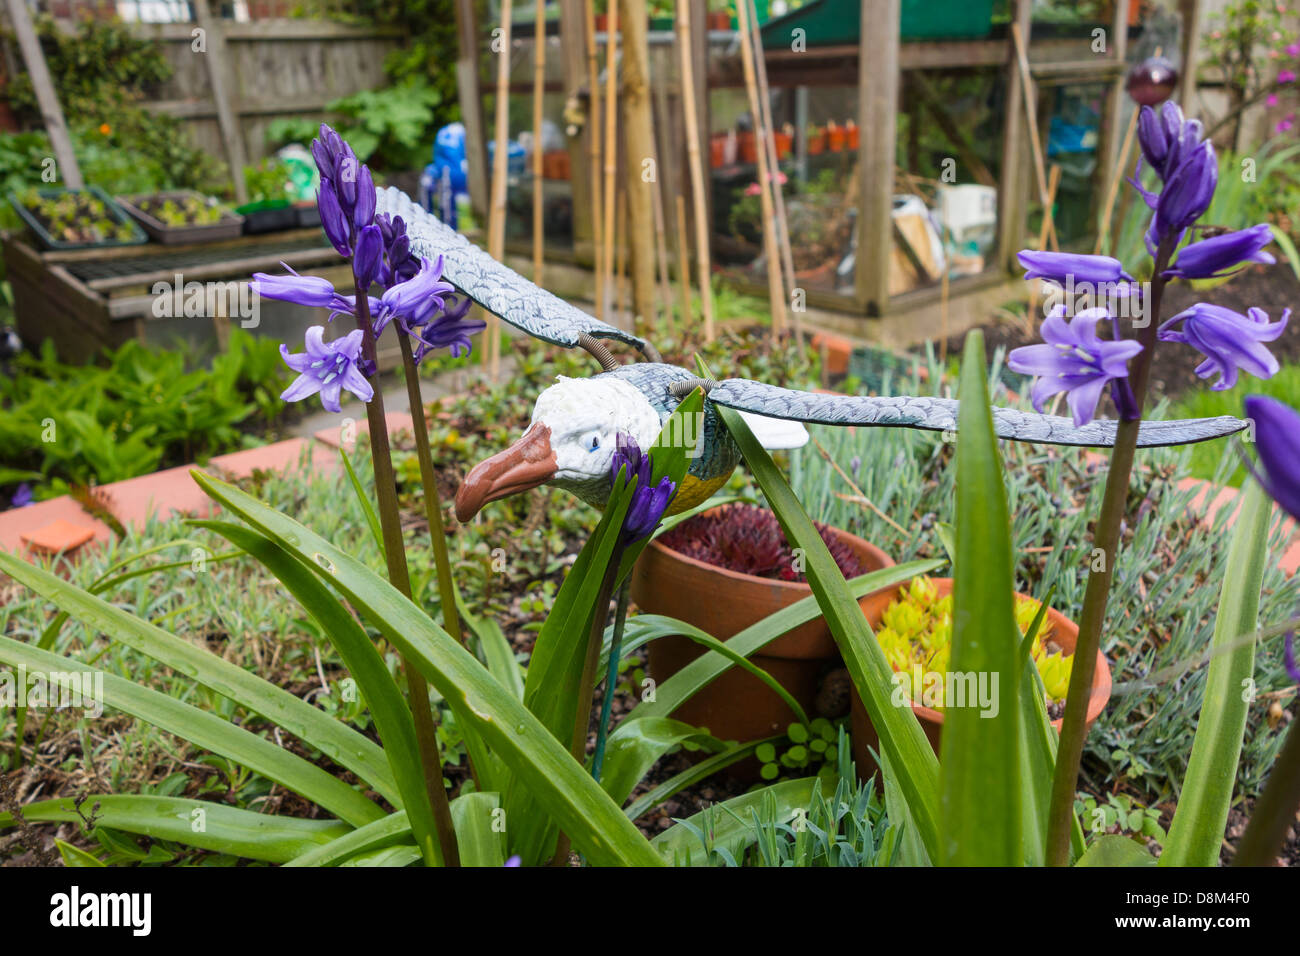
<point>1074,361</point>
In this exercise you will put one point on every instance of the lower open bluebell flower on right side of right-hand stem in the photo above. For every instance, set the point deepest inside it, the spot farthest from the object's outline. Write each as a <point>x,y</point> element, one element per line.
<point>1229,341</point>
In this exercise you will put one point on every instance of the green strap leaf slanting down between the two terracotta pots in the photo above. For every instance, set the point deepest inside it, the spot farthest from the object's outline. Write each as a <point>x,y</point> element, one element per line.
<point>900,733</point>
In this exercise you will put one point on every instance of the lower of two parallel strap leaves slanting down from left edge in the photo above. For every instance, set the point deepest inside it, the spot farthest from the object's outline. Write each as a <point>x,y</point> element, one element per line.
<point>201,729</point>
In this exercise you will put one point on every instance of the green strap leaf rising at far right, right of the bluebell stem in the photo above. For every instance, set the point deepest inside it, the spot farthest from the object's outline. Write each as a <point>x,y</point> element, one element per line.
<point>1197,833</point>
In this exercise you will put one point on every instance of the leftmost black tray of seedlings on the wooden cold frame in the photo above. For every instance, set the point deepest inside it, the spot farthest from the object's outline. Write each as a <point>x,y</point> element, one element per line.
<point>66,219</point>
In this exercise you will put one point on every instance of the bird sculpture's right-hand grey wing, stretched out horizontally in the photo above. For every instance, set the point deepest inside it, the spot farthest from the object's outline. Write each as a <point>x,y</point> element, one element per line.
<point>941,416</point>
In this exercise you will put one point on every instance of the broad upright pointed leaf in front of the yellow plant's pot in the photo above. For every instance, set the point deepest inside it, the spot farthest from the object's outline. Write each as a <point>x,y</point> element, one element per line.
<point>981,762</point>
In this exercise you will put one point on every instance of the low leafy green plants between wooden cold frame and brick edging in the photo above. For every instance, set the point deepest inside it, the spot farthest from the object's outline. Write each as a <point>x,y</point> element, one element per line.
<point>77,425</point>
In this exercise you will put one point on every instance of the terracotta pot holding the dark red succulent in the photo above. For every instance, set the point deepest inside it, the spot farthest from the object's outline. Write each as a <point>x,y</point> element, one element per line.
<point>721,603</point>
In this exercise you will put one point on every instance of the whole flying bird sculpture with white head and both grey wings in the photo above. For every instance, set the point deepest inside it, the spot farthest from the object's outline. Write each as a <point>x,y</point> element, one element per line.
<point>573,436</point>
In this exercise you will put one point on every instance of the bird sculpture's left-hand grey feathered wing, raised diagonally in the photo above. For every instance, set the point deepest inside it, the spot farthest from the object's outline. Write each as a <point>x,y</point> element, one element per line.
<point>495,287</point>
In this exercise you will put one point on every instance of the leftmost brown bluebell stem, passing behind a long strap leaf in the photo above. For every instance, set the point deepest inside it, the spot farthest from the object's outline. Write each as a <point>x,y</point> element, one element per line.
<point>395,553</point>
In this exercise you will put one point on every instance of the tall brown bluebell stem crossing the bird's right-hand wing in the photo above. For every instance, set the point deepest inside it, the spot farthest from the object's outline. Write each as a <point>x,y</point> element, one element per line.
<point>1074,726</point>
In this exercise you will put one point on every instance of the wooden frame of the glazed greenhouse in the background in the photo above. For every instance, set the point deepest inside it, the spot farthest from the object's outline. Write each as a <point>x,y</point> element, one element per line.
<point>876,66</point>
